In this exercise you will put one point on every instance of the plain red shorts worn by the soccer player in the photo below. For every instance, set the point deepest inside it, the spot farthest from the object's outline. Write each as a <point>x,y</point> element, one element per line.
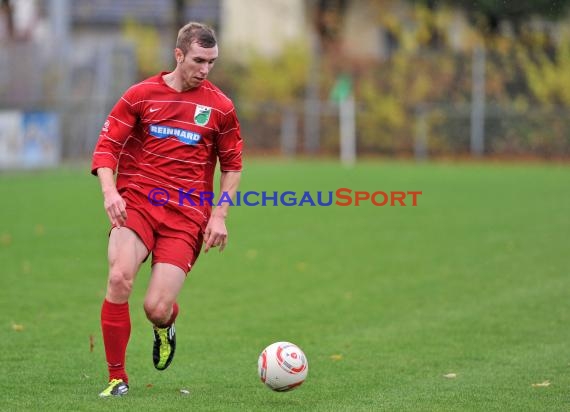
<point>167,233</point>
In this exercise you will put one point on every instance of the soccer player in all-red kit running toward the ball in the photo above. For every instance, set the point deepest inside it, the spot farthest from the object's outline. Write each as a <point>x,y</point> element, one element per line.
<point>163,137</point>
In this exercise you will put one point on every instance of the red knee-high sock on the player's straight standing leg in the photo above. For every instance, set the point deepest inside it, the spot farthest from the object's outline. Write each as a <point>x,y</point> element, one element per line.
<point>116,327</point>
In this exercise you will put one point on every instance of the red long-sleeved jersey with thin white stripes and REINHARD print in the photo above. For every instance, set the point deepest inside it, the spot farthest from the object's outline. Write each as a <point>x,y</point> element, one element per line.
<point>157,137</point>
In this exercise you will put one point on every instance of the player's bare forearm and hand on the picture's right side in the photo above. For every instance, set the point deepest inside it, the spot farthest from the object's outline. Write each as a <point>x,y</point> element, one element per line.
<point>216,233</point>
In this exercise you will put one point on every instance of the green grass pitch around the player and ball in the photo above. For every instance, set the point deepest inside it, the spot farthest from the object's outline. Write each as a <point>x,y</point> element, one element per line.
<point>457,304</point>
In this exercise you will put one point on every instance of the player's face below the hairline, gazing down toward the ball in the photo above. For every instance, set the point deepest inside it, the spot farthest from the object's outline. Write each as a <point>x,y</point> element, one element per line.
<point>195,66</point>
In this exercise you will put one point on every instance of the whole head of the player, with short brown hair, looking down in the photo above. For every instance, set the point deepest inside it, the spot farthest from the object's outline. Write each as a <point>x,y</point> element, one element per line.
<point>195,53</point>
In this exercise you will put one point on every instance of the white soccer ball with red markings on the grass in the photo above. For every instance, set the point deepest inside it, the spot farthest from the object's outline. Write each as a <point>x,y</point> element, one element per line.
<point>282,366</point>
